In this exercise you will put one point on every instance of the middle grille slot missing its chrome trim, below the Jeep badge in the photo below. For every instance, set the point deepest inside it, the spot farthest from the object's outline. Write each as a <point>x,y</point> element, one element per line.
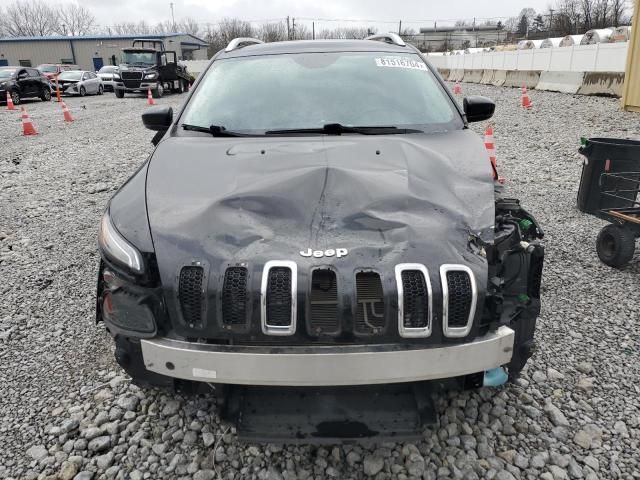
<point>323,302</point>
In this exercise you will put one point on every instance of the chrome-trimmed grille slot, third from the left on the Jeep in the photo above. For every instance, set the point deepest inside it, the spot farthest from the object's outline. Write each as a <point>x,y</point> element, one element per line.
<point>278,298</point>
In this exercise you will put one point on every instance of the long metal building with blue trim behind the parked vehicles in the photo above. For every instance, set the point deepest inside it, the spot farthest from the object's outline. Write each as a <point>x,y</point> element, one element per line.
<point>92,51</point>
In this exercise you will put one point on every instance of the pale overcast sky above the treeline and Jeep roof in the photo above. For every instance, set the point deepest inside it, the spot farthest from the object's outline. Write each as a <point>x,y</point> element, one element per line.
<point>414,13</point>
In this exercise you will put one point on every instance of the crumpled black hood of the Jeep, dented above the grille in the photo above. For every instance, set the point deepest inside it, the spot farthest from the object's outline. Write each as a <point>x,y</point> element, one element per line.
<point>387,199</point>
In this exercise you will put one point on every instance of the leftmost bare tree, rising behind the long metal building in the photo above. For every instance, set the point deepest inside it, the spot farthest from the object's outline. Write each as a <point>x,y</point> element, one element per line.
<point>33,18</point>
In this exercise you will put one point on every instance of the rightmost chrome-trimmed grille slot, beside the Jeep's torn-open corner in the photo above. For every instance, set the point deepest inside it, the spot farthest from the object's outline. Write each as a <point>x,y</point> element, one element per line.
<point>459,299</point>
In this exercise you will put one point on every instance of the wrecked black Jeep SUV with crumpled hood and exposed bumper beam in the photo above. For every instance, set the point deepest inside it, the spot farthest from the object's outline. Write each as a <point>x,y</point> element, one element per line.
<point>318,236</point>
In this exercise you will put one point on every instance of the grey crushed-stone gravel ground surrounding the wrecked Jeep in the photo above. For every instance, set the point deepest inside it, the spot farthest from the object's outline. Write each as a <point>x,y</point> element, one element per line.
<point>67,411</point>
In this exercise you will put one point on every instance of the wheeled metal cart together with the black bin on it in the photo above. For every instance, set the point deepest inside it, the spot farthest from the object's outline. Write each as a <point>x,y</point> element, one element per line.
<point>610,189</point>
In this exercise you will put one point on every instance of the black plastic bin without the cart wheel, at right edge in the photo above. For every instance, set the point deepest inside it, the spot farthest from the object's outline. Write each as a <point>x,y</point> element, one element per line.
<point>607,155</point>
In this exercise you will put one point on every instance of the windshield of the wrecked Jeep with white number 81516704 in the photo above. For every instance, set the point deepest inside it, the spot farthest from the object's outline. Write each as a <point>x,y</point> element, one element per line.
<point>293,91</point>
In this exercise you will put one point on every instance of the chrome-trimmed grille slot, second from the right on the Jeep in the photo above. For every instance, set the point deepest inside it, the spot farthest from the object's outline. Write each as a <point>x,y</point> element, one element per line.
<point>414,300</point>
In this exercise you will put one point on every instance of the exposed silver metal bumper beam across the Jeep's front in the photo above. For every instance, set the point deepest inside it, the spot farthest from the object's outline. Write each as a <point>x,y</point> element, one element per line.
<point>324,366</point>
